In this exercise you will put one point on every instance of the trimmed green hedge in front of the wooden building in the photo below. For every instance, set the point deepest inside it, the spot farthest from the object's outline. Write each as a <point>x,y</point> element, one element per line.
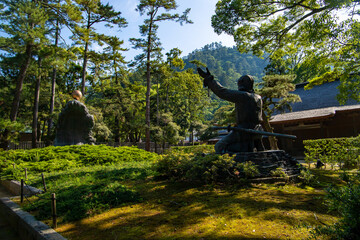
<point>342,151</point>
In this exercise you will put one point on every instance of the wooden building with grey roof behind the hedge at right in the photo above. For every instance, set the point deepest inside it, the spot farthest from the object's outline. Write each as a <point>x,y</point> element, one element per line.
<point>319,115</point>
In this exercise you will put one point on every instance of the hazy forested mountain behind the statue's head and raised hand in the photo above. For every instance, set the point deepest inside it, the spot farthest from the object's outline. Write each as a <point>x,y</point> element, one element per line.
<point>227,64</point>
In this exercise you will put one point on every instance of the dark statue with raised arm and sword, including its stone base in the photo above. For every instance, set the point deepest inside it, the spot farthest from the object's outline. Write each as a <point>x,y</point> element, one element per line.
<point>245,139</point>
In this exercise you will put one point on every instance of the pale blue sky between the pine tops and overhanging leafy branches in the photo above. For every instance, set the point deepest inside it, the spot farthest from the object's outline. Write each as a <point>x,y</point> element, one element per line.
<point>187,37</point>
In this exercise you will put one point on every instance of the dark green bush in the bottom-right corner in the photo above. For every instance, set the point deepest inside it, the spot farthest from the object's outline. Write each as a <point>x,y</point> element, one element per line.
<point>346,201</point>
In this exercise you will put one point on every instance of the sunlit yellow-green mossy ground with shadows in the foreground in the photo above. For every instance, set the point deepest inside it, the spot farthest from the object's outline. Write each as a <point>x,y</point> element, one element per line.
<point>171,210</point>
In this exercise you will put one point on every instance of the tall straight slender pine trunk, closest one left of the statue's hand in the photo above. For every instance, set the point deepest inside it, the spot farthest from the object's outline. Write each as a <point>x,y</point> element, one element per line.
<point>148,87</point>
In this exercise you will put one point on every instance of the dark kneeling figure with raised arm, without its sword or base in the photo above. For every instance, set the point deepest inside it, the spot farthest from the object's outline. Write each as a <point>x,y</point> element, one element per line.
<point>248,107</point>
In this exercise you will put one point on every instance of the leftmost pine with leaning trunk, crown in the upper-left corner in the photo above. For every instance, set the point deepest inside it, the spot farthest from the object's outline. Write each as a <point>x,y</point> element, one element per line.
<point>24,23</point>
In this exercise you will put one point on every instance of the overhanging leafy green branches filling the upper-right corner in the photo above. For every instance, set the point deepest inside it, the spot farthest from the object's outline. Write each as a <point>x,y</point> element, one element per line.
<point>293,28</point>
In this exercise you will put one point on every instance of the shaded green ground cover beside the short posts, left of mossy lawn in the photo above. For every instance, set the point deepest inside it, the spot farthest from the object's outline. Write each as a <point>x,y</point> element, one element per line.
<point>86,191</point>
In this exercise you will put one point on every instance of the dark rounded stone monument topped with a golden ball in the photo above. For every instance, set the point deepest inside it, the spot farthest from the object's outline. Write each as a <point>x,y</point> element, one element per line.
<point>74,124</point>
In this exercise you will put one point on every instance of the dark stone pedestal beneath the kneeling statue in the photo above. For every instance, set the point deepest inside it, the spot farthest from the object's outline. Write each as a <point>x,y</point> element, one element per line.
<point>269,161</point>
